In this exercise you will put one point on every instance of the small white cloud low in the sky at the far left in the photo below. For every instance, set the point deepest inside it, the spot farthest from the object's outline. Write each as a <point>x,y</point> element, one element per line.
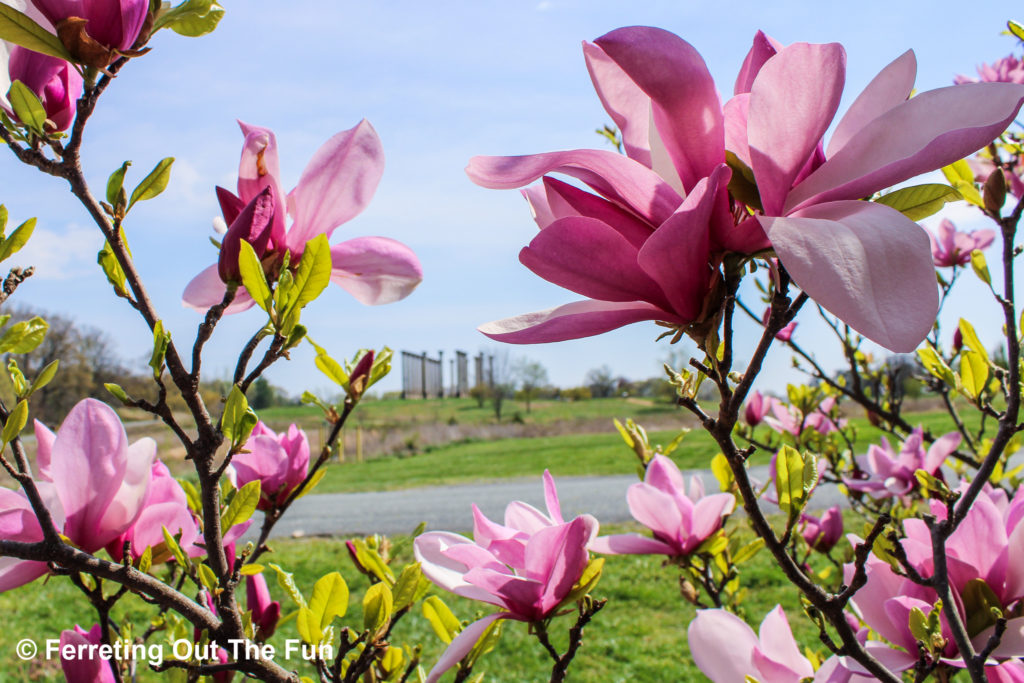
<point>62,255</point>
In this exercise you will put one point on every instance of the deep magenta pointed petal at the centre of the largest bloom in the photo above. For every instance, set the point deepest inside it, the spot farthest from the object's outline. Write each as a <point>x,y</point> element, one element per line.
<point>676,257</point>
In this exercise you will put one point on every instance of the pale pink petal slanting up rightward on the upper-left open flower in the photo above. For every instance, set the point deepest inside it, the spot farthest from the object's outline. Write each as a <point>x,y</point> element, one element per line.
<point>337,184</point>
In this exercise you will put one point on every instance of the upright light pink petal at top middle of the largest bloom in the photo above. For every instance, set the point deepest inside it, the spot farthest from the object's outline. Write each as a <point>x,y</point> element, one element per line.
<point>793,101</point>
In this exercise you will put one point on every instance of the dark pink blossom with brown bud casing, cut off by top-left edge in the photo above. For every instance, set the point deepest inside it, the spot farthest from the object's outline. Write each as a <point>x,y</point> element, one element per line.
<point>114,25</point>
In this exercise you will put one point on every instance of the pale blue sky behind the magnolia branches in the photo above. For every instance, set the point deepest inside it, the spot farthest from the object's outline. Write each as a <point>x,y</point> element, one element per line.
<point>441,82</point>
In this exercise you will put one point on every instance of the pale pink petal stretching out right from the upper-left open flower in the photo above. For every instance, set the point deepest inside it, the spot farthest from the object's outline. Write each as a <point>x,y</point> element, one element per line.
<point>375,271</point>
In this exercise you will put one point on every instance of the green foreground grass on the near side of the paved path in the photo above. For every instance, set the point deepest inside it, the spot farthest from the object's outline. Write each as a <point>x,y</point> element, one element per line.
<point>639,636</point>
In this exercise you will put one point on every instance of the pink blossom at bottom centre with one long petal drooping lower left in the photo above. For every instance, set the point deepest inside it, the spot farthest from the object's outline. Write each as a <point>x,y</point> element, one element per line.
<point>527,567</point>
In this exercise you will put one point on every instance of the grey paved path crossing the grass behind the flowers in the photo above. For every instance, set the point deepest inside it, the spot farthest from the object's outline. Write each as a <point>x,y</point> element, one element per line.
<point>449,507</point>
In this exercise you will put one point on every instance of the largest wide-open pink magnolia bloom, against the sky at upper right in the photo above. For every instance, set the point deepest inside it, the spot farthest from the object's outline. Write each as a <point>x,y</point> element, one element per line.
<point>661,218</point>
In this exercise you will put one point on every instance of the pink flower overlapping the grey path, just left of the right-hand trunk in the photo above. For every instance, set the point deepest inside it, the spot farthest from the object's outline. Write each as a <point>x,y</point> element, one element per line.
<point>680,522</point>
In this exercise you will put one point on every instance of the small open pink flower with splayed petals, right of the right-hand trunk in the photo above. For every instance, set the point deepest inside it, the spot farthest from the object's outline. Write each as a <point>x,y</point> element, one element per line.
<point>885,474</point>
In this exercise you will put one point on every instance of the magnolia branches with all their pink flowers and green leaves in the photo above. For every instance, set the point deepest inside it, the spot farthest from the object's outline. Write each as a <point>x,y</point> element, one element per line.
<point>701,196</point>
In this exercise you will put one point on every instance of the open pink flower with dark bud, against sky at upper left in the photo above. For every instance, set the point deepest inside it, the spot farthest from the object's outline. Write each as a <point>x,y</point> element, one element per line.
<point>335,187</point>
